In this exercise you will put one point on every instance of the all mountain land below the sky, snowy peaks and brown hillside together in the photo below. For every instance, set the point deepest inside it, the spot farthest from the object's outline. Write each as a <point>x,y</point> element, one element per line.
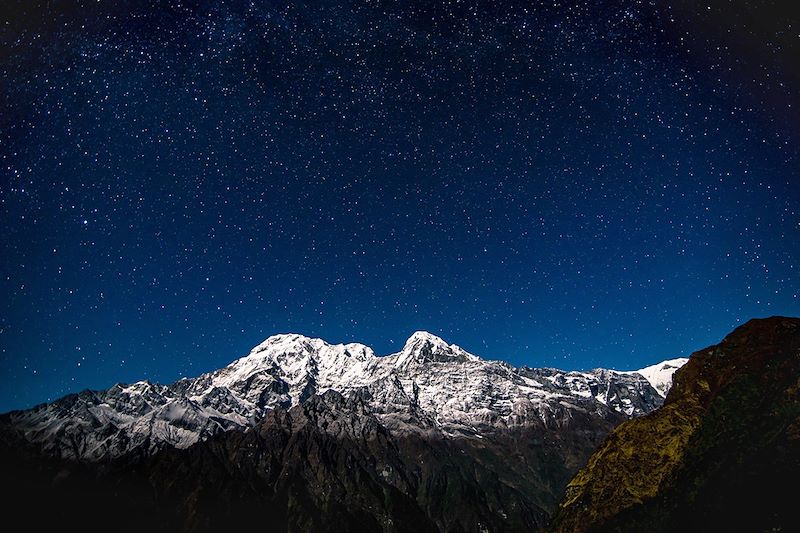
<point>303,435</point>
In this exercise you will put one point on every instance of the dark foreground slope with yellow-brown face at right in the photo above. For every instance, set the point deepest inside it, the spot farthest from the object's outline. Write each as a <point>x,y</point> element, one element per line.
<point>719,455</point>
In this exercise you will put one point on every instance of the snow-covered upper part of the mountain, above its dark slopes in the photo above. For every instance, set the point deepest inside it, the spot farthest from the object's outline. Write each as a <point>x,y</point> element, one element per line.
<point>428,386</point>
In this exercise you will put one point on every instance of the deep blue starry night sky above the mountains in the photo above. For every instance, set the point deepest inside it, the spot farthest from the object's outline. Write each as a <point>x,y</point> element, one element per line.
<point>568,184</point>
